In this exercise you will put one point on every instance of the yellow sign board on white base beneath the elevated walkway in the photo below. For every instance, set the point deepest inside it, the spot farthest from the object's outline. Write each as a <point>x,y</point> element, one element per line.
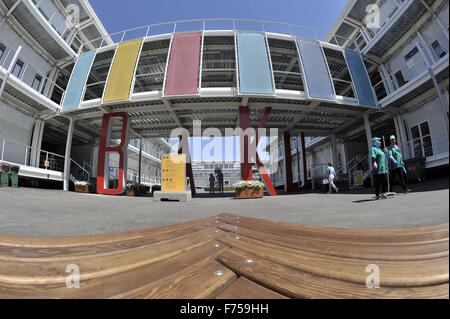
<point>173,173</point>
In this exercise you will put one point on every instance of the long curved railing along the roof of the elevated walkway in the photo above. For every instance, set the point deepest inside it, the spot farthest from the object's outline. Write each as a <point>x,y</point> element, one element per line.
<point>215,24</point>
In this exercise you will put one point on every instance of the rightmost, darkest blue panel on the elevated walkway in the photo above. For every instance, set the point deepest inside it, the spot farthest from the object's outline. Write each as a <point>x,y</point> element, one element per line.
<point>360,78</point>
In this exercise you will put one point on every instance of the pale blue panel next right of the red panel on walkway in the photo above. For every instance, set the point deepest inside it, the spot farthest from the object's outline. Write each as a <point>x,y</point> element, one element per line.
<point>255,74</point>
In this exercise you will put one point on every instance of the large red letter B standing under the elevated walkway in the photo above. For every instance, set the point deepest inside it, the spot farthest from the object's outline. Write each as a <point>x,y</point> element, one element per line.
<point>104,149</point>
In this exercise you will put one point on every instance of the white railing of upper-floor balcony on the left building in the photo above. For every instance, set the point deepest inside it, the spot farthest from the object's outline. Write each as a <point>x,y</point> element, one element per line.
<point>32,77</point>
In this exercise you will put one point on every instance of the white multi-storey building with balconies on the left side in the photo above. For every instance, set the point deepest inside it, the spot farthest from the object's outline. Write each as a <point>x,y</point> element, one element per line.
<point>44,38</point>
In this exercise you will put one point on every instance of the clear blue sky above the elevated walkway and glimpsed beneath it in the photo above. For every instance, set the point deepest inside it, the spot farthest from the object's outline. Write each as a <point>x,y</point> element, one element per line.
<point>126,14</point>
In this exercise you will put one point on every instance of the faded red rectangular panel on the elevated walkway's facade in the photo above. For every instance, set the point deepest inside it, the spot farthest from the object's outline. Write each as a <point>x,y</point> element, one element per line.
<point>184,64</point>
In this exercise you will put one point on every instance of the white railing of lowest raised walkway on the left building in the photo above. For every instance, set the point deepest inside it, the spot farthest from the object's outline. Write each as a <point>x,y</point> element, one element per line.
<point>21,154</point>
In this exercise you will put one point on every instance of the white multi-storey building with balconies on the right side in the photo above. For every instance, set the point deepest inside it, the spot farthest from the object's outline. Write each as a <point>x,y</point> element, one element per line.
<point>407,58</point>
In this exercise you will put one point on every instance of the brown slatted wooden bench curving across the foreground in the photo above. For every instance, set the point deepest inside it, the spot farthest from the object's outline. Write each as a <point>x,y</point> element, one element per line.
<point>230,256</point>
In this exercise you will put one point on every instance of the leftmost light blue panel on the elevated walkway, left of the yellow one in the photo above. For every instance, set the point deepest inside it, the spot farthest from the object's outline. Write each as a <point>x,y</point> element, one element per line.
<point>78,79</point>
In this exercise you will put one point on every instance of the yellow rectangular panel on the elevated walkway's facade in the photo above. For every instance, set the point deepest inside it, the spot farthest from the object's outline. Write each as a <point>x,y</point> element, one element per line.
<point>122,72</point>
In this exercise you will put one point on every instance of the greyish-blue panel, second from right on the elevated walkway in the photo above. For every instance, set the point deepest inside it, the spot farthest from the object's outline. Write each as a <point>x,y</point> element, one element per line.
<point>315,69</point>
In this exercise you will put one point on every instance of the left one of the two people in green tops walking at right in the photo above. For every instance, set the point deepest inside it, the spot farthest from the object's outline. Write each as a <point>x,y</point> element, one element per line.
<point>380,170</point>
